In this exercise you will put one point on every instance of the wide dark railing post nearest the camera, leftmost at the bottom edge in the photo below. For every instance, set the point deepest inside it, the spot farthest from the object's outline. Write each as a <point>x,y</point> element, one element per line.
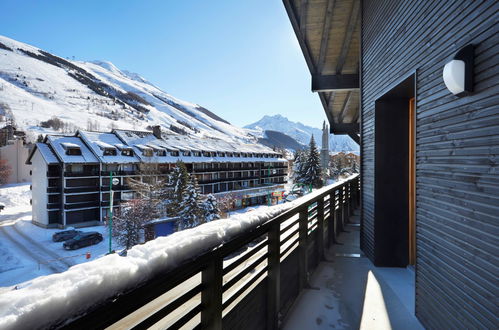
<point>211,296</point>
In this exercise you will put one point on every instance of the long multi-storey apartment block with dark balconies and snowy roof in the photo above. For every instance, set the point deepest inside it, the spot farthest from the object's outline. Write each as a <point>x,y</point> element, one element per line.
<point>71,174</point>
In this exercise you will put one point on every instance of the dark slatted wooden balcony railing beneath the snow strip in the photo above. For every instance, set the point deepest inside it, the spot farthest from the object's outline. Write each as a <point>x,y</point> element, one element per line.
<point>247,282</point>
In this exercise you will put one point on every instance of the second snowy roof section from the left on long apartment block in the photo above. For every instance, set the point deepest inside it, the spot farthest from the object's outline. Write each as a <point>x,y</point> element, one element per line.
<point>100,141</point>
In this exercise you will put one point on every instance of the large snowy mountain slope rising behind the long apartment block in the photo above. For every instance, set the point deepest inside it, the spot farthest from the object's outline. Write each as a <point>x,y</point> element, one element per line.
<point>36,86</point>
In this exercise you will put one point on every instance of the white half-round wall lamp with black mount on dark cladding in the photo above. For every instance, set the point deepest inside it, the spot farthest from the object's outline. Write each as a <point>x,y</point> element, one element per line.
<point>458,73</point>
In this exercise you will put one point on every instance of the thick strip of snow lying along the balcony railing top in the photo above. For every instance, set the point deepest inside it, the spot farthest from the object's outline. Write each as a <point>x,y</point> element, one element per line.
<point>54,298</point>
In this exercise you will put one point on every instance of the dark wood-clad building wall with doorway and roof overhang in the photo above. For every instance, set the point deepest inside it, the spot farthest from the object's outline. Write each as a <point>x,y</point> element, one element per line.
<point>430,193</point>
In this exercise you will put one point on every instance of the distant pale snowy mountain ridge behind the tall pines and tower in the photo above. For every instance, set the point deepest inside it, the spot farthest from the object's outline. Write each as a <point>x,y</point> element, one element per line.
<point>302,133</point>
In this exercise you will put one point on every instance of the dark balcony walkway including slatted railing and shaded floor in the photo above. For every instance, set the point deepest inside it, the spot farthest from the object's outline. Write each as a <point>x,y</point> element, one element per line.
<point>269,270</point>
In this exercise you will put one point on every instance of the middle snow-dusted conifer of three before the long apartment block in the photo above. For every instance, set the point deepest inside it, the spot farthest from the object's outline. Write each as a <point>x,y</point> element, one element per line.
<point>191,212</point>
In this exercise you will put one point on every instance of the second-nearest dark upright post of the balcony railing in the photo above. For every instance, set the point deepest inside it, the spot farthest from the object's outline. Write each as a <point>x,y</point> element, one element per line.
<point>274,276</point>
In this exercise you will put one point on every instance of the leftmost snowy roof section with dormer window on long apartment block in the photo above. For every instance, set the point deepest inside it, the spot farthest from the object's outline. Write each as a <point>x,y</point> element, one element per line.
<point>60,144</point>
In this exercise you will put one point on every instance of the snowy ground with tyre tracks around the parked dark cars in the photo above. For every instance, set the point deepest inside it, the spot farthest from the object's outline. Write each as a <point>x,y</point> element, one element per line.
<point>27,251</point>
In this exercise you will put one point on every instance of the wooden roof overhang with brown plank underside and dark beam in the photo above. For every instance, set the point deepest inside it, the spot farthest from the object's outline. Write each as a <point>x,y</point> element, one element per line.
<point>328,32</point>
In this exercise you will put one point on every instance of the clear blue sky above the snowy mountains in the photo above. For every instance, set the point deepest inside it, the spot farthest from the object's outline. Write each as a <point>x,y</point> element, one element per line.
<point>238,58</point>
